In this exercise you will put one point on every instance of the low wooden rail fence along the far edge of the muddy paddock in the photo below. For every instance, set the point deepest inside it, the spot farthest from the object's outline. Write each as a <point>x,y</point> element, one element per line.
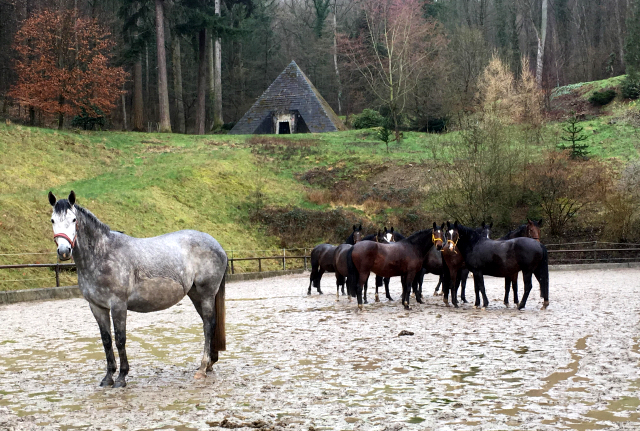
<point>611,252</point>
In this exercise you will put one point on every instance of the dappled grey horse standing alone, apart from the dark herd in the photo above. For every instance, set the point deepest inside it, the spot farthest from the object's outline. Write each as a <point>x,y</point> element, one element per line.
<point>117,273</point>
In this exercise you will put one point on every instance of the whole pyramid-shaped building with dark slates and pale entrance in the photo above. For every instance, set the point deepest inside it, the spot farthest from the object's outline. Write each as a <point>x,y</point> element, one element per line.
<point>291,104</point>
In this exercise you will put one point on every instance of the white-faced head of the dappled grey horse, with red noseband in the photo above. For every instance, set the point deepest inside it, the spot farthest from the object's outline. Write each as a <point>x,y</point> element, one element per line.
<point>65,227</point>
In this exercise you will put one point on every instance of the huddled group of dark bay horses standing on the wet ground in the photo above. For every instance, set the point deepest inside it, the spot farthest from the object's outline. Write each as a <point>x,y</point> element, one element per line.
<point>450,253</point>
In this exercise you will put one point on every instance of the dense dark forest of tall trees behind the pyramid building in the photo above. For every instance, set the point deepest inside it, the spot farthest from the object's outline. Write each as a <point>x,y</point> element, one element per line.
<point>564,41</point>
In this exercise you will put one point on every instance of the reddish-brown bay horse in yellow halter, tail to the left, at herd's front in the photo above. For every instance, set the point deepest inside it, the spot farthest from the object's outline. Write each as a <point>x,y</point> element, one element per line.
<point>404,258</point>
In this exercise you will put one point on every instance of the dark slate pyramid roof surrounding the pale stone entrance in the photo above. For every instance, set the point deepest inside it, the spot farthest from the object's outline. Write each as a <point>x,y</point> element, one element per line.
<point>291,91</point>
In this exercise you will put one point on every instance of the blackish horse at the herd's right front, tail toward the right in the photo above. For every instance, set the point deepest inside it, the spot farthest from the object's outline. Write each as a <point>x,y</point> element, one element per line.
<point>483,256</point>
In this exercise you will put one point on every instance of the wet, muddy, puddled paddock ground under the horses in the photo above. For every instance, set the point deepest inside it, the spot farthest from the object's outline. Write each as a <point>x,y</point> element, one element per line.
<point>296,362</point>
